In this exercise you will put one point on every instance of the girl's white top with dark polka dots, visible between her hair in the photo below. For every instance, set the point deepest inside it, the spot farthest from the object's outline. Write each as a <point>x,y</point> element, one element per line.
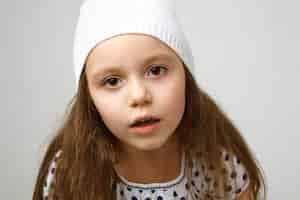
<point>201,185</point>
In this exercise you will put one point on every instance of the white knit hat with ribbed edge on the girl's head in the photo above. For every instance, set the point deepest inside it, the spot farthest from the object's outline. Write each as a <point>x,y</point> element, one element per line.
<point>100,20</point>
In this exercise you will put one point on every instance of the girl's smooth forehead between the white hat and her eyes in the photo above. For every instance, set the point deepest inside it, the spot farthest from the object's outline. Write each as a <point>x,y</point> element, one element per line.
<point>128,49</point>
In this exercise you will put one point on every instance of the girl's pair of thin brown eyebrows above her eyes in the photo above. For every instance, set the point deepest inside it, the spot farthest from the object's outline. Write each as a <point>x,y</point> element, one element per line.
<point>115,68</point>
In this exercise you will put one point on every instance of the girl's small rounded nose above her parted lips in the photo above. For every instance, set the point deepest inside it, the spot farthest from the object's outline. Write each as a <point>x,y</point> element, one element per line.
<point>139,94</point>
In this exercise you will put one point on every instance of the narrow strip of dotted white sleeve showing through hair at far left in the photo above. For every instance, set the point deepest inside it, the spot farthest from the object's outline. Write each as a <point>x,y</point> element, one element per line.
<point>49,180</point>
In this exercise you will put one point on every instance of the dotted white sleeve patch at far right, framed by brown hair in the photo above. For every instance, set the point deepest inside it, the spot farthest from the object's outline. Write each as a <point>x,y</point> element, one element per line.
<point>237,176</point>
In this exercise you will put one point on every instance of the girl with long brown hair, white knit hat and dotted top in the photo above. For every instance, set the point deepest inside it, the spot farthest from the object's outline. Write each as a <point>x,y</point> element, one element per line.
<point>139,127</point>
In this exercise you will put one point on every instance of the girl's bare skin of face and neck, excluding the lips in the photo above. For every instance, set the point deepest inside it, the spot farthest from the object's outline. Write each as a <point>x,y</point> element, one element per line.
<point>137,88</point>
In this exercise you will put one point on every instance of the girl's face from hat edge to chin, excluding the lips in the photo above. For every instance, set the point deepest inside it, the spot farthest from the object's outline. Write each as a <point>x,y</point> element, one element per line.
<point>133,75</point>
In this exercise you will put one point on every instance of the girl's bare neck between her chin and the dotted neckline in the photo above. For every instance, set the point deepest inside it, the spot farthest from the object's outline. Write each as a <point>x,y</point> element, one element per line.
<point>159,165</point>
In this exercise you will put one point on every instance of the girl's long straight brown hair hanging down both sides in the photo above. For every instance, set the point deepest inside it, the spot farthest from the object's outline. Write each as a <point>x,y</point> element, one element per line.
<point>89,149</point>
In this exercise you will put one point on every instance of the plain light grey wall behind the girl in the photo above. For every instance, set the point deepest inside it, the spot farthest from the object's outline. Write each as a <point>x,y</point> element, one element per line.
<point>247,58</point>
